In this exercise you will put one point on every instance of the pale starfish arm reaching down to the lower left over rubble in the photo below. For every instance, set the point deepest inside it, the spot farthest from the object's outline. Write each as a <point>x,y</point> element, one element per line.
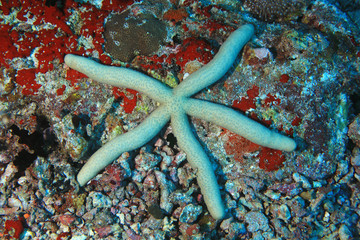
<point>123,143</point>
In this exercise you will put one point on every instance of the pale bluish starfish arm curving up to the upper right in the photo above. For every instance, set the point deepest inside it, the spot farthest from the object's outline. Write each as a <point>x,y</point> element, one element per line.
<point>219,65</point>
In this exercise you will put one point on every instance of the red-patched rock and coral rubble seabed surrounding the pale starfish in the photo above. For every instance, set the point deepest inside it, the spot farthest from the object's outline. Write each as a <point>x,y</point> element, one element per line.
<point>299,75</point>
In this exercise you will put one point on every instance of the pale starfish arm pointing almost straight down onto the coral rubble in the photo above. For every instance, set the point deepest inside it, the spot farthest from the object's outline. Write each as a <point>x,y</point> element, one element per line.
<point>200,162</point>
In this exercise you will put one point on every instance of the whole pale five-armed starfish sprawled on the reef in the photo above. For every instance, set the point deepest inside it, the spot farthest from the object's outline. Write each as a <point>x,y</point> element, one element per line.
<point>175,104</point>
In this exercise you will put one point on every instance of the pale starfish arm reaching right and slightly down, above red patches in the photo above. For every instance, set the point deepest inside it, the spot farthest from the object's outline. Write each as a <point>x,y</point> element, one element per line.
<point>239,124</point>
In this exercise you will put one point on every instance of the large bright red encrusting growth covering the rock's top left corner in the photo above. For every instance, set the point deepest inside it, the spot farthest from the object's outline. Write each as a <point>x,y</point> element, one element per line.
<point>48,44</point>
